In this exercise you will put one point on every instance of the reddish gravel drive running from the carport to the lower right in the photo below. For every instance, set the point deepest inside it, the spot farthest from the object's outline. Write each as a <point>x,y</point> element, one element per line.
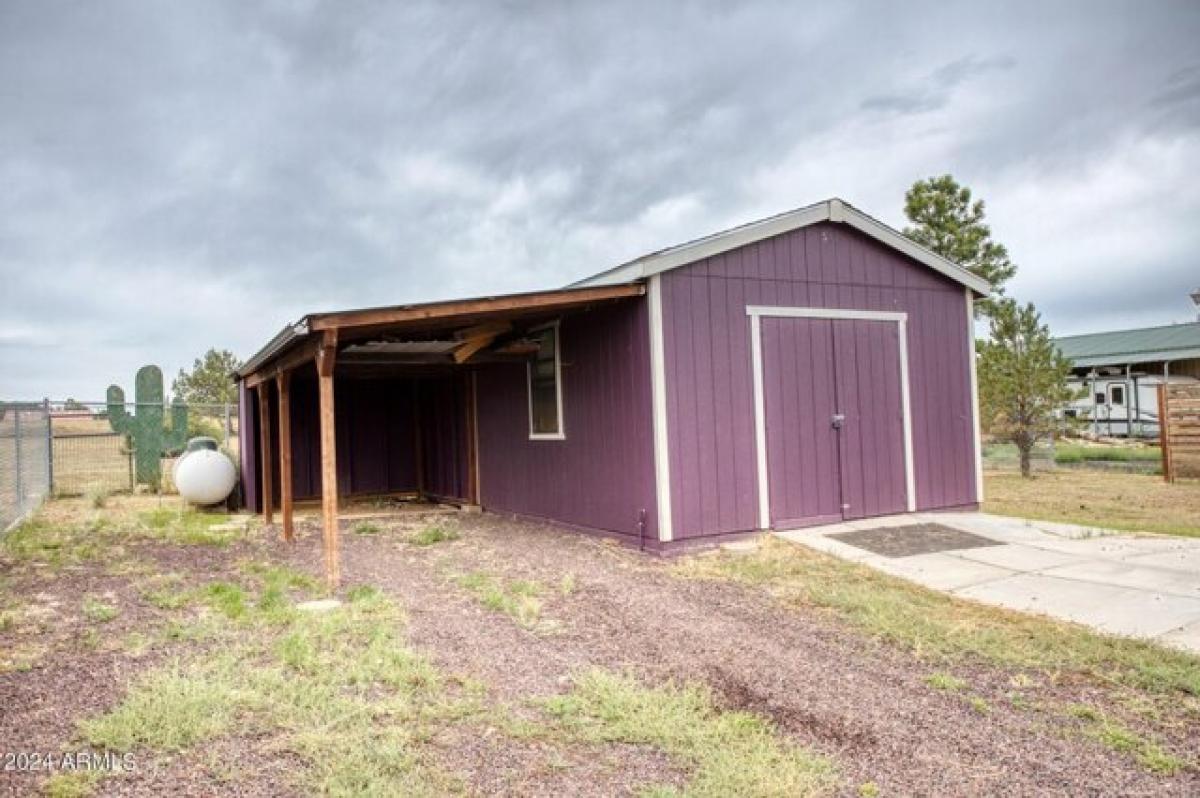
<point>865,704</point>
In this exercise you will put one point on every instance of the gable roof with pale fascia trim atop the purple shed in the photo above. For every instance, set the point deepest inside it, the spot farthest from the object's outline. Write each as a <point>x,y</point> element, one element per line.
<point>831,211</point>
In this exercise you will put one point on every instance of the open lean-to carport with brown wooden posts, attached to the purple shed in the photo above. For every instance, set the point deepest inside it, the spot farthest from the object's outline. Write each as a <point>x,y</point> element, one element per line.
<point>383,401</point>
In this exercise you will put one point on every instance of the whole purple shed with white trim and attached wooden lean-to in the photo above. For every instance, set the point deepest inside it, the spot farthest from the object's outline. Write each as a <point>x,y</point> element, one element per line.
<point>801,370</point>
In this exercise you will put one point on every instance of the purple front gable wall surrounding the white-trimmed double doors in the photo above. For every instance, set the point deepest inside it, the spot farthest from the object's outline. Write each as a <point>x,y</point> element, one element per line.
<point>709,370</point>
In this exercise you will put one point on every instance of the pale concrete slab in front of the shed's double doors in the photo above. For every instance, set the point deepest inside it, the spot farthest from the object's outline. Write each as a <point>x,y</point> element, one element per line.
<point>1141,586</point>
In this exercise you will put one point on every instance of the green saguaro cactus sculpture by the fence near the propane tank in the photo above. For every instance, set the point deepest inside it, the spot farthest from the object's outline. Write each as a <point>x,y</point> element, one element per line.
<point>151,440</point>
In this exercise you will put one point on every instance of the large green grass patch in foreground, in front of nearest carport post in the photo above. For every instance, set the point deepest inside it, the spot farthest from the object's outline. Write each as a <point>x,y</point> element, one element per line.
<point>341,691</point>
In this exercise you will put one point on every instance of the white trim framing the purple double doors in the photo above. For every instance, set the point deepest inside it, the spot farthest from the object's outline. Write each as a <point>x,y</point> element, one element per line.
<point>760,401</point>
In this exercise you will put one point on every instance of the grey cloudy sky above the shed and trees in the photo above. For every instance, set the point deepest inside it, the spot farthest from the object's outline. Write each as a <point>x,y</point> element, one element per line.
<point>177,177</point>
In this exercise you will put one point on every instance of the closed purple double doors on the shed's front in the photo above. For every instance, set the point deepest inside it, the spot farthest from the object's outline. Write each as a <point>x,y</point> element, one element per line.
<point>833,405</point>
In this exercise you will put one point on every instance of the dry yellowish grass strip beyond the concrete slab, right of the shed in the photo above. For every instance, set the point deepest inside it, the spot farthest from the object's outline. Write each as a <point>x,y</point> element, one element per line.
<point>1129,502</point>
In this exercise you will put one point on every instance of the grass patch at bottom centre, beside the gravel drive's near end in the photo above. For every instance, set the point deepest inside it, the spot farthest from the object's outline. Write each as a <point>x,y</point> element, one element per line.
<point>727,753</point>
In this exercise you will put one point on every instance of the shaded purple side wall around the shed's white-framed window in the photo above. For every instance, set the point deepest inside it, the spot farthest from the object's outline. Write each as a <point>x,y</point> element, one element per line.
<point>602,476</point>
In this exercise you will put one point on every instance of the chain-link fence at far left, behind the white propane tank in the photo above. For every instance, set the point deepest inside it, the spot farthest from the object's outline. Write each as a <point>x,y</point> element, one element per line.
<point>73,448</point>
